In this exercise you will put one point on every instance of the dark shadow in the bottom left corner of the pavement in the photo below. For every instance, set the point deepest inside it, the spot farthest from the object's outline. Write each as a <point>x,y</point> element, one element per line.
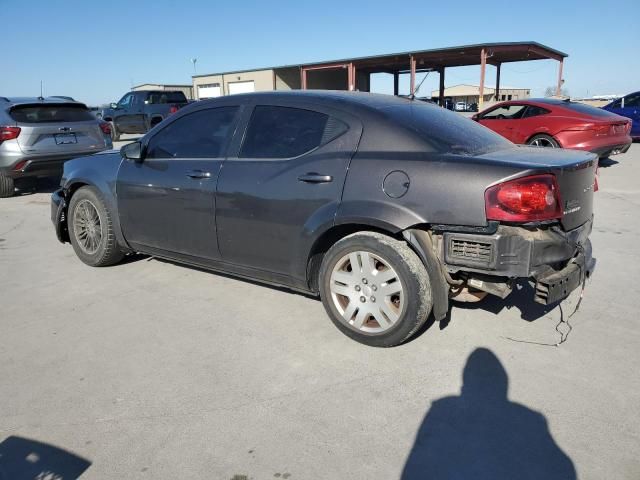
<point>25,459</point>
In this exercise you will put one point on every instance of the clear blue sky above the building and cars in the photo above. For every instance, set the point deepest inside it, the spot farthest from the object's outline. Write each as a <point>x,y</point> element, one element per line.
<point>95,50</point>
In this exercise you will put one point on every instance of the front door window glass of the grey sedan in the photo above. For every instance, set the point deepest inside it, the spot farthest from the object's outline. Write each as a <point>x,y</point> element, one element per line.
<point>201,134</point>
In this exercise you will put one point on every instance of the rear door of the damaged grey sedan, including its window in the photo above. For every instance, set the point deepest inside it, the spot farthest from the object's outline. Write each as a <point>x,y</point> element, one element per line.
<point>283,184</point>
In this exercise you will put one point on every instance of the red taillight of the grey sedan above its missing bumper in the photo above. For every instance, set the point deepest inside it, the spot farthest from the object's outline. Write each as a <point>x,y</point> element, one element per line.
<point>524,199</point>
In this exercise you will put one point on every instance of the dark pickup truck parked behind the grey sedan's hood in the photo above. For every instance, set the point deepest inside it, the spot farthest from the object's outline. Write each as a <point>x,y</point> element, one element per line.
<point>140,111</point>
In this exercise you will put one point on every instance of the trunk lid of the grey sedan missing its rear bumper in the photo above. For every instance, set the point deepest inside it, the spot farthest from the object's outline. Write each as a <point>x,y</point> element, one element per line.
<point>575,172</point>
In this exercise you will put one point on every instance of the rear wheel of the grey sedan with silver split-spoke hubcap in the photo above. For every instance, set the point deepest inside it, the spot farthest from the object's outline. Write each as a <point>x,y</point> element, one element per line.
<point>375,289</point>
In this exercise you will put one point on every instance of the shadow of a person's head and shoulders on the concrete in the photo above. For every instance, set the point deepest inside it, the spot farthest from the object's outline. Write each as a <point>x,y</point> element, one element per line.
<point>480,434</point>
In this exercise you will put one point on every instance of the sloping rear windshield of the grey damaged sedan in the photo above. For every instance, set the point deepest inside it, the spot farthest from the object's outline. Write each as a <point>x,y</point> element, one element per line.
<point>446,131</point>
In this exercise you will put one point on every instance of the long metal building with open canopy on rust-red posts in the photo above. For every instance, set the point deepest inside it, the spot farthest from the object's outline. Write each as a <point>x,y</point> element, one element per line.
<point>355,73</point>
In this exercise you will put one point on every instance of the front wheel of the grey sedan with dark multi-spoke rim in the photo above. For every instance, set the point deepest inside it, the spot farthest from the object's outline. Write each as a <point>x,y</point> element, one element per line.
<point>91,229</point>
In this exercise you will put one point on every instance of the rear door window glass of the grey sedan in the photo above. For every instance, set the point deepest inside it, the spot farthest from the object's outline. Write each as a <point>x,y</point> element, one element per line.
<point>284,132</point>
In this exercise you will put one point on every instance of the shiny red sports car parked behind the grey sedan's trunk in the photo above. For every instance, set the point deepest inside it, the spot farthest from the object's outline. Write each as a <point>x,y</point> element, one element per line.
<point>559,123</point>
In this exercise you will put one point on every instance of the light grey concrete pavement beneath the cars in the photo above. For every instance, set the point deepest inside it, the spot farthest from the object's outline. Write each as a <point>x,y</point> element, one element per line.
<point>154,370</point>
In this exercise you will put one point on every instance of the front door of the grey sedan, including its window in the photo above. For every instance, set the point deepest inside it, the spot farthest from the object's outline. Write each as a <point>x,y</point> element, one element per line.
<point>167,201</point>
